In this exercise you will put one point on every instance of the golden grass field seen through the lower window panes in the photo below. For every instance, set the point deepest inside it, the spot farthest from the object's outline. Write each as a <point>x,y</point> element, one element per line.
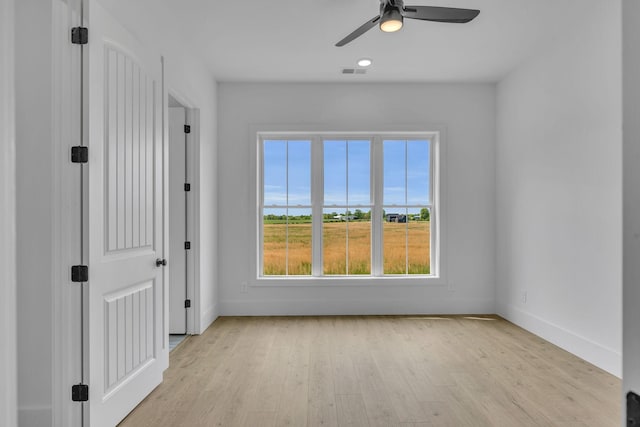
<point>335,247</point>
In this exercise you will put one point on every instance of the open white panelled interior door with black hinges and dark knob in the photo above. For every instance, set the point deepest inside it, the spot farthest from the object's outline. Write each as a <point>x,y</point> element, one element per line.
<point>127,350</point>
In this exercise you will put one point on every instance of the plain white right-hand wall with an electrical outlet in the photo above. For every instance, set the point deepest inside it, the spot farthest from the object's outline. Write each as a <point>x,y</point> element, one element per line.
<point>559,201</point>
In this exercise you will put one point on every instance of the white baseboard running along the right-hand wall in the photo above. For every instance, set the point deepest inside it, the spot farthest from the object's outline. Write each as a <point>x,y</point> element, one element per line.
<point>601,356</point>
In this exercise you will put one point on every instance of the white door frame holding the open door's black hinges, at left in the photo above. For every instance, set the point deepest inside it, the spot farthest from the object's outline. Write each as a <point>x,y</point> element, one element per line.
<point>66,217</point>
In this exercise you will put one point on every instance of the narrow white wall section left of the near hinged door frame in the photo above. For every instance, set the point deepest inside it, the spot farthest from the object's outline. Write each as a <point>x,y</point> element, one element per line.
<point>34,152</point>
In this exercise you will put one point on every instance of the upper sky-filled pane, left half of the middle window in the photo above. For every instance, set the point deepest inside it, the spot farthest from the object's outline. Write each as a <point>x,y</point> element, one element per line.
<point>335,173</point>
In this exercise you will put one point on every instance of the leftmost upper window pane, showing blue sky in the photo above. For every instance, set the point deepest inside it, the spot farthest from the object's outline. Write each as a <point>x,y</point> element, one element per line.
<point>275,172</point>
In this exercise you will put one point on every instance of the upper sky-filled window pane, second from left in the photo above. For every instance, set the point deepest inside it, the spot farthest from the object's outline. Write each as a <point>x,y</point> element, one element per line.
<point>299,173</point>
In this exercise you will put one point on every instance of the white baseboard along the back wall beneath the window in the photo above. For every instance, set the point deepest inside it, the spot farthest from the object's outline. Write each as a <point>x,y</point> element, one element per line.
<point>314,307</point>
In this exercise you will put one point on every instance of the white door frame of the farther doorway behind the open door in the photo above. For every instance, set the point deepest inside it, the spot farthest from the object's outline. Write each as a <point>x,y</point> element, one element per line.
<point>192,118</point>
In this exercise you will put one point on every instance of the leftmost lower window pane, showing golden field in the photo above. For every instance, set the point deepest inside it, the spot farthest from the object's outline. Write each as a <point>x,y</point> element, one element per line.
<point>274,238</point>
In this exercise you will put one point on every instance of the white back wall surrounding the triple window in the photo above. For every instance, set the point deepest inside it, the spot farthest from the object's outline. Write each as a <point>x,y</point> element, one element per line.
<point>468,114</point>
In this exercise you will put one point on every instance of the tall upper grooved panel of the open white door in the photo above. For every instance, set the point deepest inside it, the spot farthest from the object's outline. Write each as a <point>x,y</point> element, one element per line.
<point>129,134</point>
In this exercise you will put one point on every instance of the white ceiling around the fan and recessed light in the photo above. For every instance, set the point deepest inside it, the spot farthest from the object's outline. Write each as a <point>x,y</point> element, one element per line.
<point>293,40</point>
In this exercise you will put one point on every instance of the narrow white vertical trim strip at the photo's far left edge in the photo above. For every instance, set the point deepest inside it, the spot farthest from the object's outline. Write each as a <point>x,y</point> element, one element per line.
<point>8,362</point>
